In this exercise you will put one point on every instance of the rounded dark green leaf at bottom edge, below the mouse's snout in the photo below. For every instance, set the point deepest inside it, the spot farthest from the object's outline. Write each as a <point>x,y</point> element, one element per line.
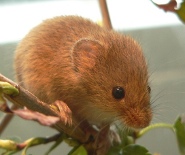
<point>135,149</point>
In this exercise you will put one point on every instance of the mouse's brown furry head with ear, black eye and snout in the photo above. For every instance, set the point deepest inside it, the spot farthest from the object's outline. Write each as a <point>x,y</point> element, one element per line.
<point>113,74</point>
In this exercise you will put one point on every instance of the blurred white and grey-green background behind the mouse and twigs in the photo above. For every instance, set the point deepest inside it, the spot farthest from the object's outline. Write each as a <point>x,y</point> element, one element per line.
<point>162,36</point>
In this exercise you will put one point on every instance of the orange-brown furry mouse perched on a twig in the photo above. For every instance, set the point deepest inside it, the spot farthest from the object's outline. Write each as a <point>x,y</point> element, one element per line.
<point>101,75</point>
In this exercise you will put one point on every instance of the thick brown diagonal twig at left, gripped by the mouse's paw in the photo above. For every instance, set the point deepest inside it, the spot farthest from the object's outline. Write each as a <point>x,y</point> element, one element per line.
<point>25,98</point>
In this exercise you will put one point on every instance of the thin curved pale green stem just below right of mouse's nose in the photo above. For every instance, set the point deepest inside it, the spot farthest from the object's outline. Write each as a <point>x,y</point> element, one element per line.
<point>153,126</point>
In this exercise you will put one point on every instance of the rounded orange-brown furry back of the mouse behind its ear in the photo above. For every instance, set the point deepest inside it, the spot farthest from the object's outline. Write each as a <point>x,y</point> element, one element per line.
<point>45,53</point>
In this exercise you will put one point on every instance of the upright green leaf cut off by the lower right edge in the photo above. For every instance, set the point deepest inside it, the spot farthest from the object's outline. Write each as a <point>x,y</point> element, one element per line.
<point>180,134</point>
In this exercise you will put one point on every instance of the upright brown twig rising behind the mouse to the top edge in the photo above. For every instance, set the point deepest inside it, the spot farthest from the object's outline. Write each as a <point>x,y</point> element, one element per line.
<point>105,14</point>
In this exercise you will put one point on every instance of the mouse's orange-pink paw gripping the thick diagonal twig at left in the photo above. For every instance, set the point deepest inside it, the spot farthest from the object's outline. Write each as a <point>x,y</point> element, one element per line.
<point>64,110</point>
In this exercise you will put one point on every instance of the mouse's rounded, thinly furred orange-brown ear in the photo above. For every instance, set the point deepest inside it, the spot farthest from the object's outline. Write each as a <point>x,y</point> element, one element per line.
<point>85,53</point>
